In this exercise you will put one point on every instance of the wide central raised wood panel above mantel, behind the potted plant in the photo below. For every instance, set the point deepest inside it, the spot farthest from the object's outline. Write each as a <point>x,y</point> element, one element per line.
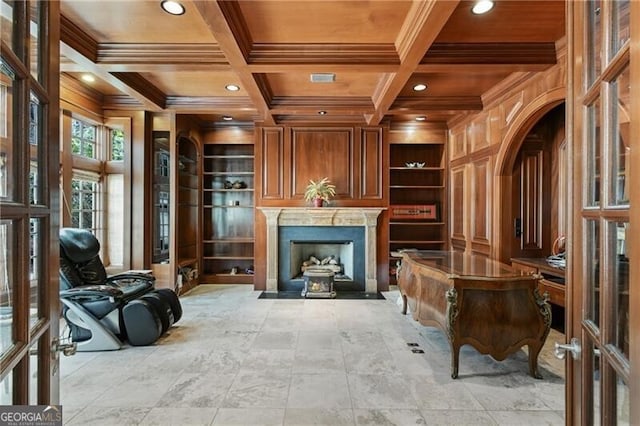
<point>317,153</point>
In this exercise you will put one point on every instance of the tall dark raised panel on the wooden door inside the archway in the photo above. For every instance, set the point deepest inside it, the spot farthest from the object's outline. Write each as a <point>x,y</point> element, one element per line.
<point>531,201</point>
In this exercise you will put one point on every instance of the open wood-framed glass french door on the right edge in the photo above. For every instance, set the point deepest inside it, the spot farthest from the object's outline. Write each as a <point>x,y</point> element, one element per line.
<point>603,380</point>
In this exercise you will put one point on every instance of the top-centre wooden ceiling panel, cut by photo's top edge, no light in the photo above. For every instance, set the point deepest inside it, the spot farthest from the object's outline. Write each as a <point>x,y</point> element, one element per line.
<point>324,21</point>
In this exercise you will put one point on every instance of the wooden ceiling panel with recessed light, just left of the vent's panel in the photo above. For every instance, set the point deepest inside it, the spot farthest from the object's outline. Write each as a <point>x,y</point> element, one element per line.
<point>195,83</point>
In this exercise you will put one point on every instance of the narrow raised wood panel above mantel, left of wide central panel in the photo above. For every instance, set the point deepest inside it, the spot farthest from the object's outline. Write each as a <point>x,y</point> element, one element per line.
<point>272,154</point>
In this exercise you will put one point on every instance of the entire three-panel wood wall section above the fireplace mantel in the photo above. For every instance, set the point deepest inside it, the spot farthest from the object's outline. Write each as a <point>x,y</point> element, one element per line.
<point>351,157</point>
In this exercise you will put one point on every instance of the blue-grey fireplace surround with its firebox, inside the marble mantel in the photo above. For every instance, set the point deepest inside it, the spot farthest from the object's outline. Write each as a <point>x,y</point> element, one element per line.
<point>345,244</point>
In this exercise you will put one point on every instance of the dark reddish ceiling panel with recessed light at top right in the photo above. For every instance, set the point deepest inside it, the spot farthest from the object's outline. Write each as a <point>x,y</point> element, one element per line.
<point>508,22</point>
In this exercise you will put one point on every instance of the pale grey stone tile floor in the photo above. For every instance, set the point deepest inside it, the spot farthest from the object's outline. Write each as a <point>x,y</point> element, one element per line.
<point>234,359</point>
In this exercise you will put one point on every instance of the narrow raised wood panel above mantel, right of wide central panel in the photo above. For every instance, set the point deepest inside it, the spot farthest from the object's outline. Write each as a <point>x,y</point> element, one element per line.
<point>371,164</point>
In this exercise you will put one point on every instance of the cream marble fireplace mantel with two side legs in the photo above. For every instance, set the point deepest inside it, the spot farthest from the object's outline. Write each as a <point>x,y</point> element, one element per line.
<point>322,216</point>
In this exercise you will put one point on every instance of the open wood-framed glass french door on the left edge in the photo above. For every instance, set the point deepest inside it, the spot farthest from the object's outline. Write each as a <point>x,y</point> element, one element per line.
<point>29,206</point>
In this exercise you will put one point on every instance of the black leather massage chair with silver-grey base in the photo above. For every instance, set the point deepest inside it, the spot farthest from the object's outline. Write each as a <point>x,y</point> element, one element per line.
<point>103,311</point>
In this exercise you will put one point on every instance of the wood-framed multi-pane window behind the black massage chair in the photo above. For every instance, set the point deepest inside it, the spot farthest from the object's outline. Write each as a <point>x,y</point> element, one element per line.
<point>94,190</point>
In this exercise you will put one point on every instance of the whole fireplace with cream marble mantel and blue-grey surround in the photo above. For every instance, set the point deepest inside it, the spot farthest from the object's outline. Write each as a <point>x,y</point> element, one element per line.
<point>357,226</point>
